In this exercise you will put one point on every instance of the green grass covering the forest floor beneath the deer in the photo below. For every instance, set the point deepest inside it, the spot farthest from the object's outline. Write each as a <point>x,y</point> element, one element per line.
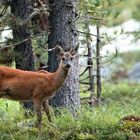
<point>97,123</point>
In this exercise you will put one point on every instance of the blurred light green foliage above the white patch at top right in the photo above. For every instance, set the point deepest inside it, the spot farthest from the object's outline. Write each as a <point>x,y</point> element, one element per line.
<point>110,12</point>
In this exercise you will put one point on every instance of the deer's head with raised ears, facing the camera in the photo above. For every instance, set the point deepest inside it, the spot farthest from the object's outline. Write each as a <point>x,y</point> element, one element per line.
<point>67,57</point>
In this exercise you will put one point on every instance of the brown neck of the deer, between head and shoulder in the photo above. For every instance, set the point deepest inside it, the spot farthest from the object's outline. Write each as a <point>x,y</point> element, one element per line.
<point>60,76</point>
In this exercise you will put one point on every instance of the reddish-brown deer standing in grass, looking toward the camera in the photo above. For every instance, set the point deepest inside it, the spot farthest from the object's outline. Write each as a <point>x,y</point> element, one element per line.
<point>39,86</point>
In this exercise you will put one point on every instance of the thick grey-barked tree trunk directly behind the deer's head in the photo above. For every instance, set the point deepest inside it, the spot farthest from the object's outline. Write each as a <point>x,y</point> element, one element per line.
<point>62,32</point>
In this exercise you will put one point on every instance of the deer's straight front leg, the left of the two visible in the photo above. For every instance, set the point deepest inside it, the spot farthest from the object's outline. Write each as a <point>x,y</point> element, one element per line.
<point>37,107</point>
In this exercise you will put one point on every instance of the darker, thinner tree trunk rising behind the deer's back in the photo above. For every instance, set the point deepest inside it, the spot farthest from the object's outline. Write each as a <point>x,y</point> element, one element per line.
<point>23,52</point>
